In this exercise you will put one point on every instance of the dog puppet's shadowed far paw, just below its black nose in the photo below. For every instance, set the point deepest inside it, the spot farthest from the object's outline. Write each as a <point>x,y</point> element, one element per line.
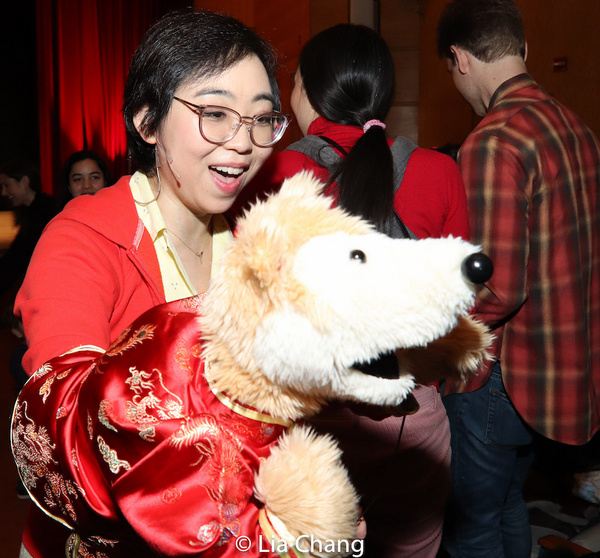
<point>456,356</point>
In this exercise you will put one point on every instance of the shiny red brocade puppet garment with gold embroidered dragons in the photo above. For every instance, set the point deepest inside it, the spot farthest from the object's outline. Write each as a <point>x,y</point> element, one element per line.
<point>135,453</point>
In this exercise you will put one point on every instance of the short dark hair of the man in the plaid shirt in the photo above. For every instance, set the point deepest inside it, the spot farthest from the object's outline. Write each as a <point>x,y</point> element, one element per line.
<point>488,29</point>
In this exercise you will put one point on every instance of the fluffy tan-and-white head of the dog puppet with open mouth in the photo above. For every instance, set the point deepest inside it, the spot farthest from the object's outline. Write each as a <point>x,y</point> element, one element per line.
<point>307,291</point>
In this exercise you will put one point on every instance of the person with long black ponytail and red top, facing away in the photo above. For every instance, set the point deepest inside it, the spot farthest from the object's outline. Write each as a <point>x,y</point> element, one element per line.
<point>343,90</point>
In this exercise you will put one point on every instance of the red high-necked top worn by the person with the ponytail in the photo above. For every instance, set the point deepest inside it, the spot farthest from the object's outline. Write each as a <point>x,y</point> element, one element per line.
<point>431,200</point>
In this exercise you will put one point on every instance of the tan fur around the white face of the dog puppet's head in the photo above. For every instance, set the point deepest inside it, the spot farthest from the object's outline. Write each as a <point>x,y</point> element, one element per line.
<point>258,268</point>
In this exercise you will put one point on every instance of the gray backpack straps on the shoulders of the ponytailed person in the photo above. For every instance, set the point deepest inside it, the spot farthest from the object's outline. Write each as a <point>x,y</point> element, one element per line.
<point>323,153</point>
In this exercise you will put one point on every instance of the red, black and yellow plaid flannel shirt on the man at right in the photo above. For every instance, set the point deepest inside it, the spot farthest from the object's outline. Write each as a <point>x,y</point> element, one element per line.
<point>532,173</point>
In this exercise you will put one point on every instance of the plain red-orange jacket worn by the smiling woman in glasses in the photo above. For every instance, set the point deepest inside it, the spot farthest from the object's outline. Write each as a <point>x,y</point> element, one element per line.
<point>93,272</point>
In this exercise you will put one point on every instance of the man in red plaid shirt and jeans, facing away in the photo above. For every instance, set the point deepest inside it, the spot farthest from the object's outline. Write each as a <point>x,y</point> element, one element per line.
<point>532,173</point>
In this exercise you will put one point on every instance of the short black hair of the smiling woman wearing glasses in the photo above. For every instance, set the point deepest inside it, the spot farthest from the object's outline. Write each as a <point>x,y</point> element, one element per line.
<point>180,47</point>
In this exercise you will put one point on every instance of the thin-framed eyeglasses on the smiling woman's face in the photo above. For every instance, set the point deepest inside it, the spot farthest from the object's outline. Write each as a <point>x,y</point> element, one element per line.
<point>220,124</point>
